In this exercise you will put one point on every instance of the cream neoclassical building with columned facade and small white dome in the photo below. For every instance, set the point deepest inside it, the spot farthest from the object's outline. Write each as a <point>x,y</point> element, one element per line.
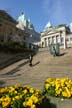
<point>60,34</point>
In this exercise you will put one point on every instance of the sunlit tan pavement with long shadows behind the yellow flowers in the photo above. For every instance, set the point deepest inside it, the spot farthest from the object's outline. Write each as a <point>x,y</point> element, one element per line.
<point>44,66</point>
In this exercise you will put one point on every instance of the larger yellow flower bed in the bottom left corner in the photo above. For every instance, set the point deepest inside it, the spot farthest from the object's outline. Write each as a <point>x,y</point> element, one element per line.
<point>20,97</point>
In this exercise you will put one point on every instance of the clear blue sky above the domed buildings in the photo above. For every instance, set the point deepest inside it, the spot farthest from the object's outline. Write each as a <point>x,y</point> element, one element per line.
<point>40,11</point>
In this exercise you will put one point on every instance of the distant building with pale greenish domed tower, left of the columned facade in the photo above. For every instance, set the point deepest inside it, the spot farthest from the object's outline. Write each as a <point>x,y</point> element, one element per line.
<point>25,24</point>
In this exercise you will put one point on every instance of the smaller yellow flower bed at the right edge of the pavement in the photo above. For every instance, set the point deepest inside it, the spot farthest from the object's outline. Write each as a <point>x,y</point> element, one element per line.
<point>59,87</point>
